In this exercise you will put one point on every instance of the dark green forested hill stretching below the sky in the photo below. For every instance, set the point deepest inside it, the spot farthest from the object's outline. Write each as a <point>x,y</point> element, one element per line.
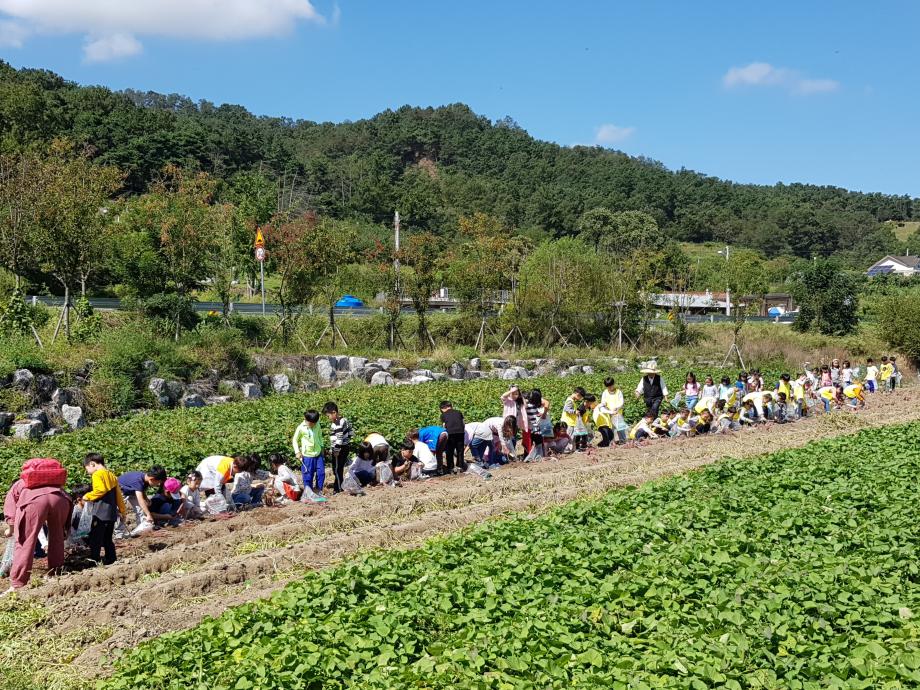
<point>435,164</point>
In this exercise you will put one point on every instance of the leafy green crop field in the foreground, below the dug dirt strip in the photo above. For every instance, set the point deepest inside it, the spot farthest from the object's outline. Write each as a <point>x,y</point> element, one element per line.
<point>797,570</point>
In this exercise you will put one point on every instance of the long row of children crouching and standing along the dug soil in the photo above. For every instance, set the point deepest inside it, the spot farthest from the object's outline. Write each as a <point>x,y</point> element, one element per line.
<point>224,484</point>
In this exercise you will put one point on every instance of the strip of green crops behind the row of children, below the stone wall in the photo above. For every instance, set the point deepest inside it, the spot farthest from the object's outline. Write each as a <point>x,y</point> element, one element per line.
<point>179,439</point>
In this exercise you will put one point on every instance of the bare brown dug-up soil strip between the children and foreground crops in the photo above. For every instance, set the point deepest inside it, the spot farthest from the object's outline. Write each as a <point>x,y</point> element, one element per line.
<point>170,579</point>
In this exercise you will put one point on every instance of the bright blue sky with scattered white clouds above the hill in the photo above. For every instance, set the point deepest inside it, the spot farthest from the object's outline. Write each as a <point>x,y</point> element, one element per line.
<point>822,92</point>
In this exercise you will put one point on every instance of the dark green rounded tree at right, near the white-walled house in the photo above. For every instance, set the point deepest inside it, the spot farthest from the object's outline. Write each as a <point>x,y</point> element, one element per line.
<point>827,299</point>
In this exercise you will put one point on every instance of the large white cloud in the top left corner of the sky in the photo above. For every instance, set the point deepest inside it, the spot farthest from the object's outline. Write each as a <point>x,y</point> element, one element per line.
<point>111,26</point>
